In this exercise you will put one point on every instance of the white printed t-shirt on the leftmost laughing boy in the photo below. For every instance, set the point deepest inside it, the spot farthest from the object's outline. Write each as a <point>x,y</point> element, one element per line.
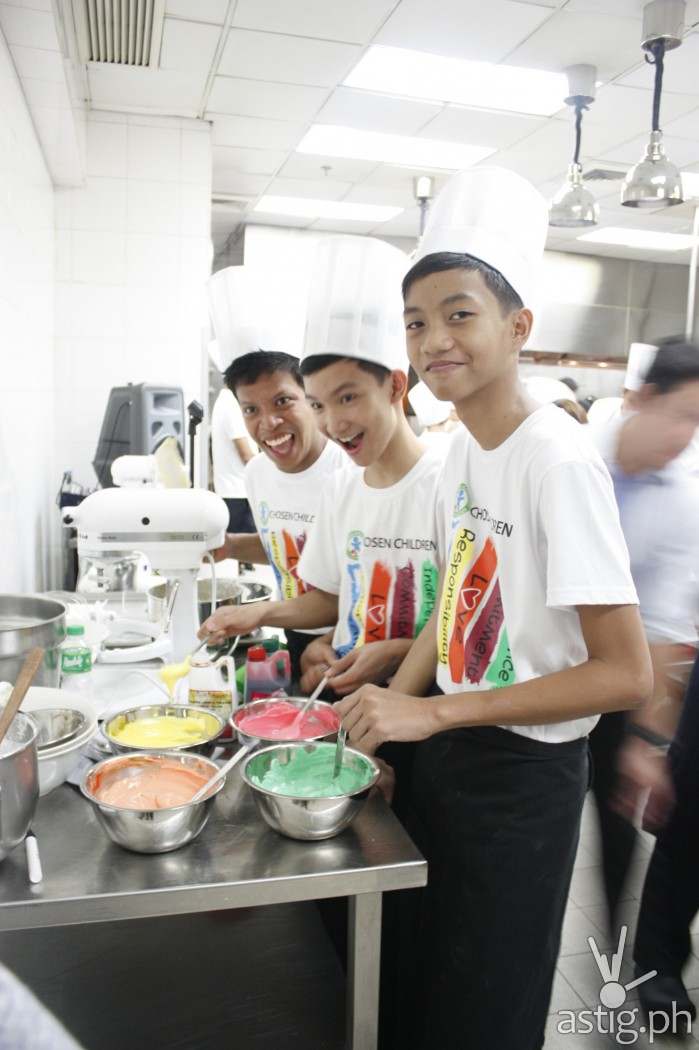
<point>285,508</point>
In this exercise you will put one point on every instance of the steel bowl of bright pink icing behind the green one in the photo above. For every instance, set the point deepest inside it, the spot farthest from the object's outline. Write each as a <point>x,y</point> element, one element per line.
<point>278,722</point>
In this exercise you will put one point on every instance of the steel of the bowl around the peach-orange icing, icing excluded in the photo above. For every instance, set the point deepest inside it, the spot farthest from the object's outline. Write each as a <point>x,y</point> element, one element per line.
<point>150,831</point>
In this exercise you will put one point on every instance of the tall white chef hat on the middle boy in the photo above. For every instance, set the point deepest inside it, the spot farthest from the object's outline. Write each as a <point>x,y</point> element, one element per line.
<point>355,305</point>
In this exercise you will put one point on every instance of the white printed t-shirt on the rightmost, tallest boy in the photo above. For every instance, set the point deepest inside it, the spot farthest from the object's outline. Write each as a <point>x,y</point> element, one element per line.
<point>534,531</point>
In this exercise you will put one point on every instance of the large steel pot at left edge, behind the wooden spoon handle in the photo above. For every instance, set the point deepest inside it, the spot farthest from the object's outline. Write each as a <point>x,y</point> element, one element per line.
<point>26,622</point>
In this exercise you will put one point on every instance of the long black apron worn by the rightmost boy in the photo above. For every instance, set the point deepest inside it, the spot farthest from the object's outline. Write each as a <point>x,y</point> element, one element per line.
<point>498,817</point>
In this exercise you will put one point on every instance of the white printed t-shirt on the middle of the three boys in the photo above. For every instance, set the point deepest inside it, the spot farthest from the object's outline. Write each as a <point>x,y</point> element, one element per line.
<point>379,551</point>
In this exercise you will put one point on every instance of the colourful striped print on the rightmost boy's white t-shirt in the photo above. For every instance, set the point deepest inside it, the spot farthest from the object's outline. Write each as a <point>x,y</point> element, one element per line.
<point>473,642</point>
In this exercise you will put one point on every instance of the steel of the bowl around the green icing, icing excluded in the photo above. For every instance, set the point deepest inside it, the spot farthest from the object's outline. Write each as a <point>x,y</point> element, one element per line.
<point>307,818</point>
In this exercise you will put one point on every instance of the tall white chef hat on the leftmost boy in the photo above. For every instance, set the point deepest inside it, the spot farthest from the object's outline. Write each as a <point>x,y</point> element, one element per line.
<point>240,318</point>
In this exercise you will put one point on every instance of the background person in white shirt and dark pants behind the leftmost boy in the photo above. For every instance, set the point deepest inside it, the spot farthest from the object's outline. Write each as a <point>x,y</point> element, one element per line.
<point>230,452</point>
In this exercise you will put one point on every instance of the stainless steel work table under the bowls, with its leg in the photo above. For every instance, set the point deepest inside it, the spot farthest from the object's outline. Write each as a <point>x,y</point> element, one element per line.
<point>237,863</point>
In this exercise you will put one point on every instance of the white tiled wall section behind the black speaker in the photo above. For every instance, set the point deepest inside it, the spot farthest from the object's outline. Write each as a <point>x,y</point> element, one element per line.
<point>133,256</point>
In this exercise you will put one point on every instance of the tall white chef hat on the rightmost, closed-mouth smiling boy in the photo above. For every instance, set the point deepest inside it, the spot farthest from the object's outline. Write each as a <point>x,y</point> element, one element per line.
<point>497,217</point>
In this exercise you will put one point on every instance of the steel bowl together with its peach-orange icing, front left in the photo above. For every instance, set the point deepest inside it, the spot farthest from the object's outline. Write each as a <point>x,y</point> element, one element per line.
<point>144,802</point>
